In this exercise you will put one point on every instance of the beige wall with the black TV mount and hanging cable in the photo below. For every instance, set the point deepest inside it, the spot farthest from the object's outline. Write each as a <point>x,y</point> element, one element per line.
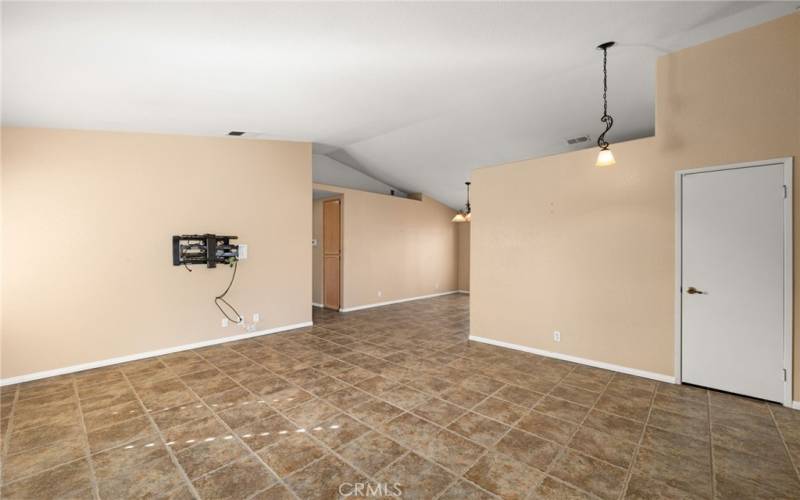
<point>88,220</point>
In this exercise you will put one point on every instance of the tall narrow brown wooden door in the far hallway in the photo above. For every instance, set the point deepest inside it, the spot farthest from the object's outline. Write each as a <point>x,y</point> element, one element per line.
<point>332,253</point>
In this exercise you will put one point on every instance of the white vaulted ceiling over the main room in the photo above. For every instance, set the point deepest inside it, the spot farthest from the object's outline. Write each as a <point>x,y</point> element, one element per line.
<point>414,94</point>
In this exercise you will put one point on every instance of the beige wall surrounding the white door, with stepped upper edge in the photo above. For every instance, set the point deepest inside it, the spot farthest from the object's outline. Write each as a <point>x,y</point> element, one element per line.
<point>559,244</point>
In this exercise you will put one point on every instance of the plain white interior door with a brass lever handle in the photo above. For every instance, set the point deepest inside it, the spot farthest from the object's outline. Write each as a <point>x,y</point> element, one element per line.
<point>732,281</point>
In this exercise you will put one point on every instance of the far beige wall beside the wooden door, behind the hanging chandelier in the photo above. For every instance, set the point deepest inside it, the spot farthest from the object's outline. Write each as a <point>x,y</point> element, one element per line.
<point>403,248</point>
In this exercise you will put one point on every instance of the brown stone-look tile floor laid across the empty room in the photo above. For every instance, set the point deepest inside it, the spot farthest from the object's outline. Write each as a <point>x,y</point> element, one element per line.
<point>386,398</point>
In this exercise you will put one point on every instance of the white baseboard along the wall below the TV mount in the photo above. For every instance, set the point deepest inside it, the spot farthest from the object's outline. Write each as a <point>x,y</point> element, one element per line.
<point>134,357</point>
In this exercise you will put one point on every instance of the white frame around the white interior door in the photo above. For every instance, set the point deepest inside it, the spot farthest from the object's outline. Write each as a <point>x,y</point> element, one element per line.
<point>788,277</point>
